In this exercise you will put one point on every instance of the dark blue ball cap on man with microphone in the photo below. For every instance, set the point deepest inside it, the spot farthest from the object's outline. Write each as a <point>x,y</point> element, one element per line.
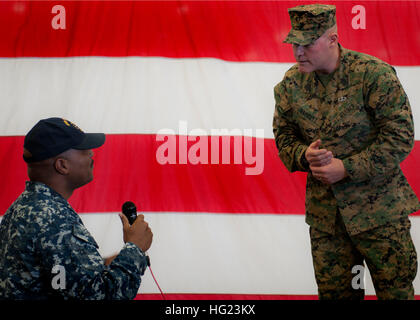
<point>52,136</point>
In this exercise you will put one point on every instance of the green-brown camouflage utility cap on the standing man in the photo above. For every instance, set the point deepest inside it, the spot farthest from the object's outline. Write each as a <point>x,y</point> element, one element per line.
<point>309,22</point>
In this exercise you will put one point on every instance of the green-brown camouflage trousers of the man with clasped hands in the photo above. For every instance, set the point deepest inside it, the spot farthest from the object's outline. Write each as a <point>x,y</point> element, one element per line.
<point>389,254</point>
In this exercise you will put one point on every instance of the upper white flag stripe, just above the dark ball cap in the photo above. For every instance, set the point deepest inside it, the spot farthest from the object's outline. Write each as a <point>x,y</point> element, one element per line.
<point>145,95</point>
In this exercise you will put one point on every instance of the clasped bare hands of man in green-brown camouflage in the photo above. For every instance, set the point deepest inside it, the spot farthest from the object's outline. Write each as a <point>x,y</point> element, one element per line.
<point>323,165</point>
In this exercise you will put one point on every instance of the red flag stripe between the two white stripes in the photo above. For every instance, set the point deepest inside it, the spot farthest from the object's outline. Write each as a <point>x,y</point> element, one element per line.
<point>126,168</point>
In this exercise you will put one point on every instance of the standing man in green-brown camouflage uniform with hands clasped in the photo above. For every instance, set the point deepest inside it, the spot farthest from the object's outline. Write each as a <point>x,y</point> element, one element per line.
<point>343,117</point>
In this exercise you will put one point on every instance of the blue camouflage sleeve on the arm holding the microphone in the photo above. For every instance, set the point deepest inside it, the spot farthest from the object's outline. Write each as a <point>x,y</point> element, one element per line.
<point>73,249</point>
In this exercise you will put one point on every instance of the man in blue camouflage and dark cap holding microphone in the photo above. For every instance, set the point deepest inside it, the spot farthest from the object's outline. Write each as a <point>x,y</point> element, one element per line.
<point>45,250</point>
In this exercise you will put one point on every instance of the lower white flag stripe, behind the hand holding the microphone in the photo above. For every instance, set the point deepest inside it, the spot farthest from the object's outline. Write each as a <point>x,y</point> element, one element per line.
<point>224,253</point>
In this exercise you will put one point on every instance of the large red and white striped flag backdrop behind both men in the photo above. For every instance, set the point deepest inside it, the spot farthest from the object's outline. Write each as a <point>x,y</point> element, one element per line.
<point>184,92</point>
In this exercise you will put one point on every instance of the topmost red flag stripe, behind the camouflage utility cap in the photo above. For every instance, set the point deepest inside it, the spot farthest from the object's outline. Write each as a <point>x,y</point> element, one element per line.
<point>229,30</point>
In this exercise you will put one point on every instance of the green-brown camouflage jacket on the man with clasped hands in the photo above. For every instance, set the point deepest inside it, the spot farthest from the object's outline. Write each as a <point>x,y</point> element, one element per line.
<point>364,117</point>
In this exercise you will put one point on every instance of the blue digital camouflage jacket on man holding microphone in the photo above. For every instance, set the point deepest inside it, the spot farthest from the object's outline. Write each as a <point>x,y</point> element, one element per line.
<point>41,230</point>
